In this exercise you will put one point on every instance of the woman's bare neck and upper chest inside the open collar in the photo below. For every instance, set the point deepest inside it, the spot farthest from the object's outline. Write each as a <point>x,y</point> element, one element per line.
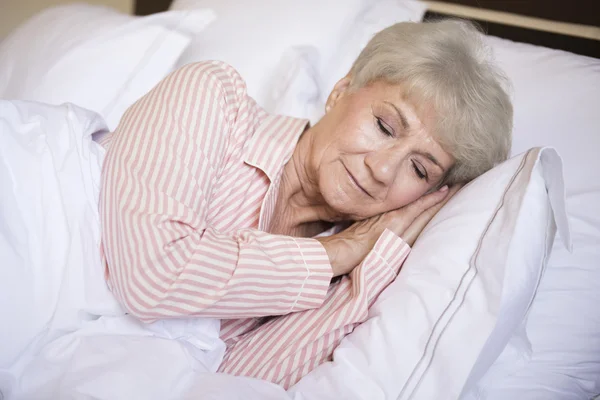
<point>300,205</point>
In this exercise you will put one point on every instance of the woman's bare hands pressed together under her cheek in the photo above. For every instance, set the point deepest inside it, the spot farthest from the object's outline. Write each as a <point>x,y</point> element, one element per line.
<point>348,248</point>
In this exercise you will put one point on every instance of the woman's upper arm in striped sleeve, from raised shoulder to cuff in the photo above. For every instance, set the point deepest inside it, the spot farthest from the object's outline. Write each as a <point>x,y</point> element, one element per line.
<point>164,259</point>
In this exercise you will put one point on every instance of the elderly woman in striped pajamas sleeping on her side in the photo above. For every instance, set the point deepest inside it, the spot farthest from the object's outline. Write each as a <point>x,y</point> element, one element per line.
<point>211,207</point>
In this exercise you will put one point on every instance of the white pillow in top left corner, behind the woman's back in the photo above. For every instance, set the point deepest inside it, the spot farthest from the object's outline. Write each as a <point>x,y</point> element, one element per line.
<point>93,56</point>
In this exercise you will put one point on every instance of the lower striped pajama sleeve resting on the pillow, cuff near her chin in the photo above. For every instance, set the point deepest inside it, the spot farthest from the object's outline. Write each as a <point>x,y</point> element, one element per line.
<point>286,348</point>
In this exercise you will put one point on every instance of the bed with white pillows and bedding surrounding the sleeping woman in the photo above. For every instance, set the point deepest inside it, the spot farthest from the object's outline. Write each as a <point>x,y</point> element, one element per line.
<point>507,309</point>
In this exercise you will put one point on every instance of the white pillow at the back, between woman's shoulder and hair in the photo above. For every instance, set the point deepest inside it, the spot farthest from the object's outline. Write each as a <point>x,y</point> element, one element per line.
<point>253,36</point>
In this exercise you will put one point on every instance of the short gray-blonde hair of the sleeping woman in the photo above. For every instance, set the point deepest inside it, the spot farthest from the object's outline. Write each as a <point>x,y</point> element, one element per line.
<point>446,65</point>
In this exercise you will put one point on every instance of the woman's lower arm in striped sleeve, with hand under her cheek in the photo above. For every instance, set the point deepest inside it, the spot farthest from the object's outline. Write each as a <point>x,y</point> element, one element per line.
<point>285,349</point>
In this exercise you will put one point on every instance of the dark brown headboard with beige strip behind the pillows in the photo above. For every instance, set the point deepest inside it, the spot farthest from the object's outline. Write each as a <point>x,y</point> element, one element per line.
<point>571,25</point>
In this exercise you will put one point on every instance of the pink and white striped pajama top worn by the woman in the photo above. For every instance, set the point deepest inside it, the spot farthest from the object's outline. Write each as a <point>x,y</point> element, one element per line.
<point>189,185</point>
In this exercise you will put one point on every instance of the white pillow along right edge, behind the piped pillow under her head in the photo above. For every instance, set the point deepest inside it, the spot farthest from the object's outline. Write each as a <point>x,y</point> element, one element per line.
<point>555,354</point>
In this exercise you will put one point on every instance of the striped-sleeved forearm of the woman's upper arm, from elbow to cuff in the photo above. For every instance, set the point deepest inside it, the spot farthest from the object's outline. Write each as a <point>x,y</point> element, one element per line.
<point>249,274</point>
